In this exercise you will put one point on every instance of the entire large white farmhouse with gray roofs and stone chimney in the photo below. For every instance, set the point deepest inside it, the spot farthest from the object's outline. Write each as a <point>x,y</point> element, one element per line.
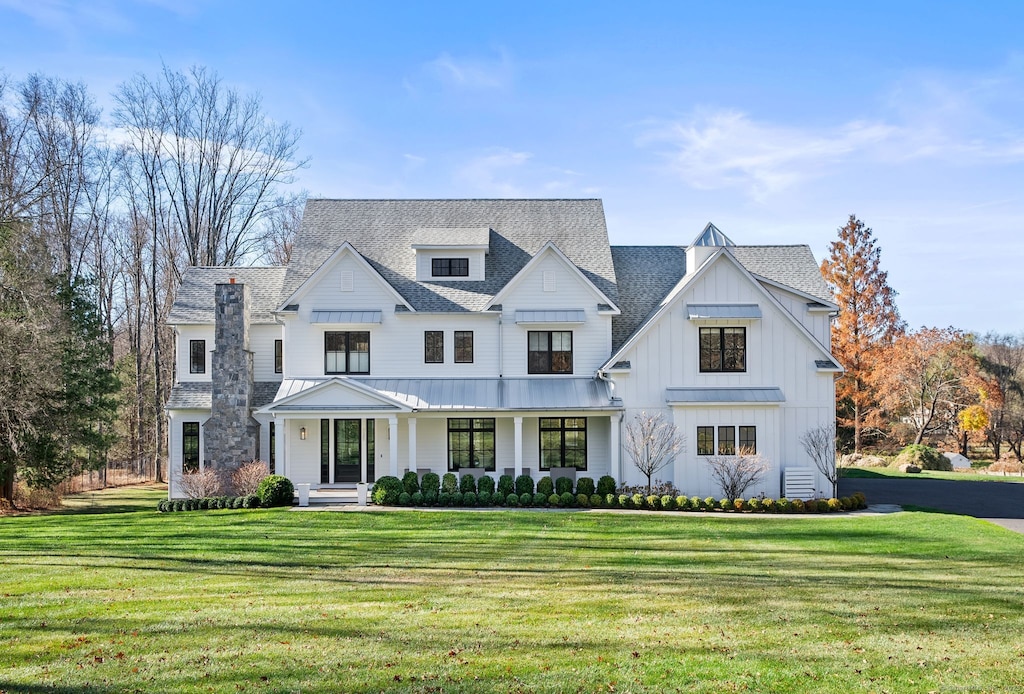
<point>498,337</point>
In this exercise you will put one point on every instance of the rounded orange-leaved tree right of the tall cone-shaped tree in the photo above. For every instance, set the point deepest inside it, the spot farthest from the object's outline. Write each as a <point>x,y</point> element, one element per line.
<point>928,377</point>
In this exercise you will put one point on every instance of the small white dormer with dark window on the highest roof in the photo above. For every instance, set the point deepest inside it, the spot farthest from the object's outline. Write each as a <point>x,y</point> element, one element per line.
<point>451,254</point>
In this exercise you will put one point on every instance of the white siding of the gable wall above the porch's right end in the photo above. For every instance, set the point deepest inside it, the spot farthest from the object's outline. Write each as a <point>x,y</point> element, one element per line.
<point>550,286</point>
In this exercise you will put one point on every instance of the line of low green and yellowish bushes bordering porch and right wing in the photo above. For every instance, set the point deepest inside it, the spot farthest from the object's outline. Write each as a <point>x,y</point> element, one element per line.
<point>520,493</point>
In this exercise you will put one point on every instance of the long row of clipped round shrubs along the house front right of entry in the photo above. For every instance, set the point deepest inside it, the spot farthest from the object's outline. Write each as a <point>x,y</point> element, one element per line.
<point>393,492</point>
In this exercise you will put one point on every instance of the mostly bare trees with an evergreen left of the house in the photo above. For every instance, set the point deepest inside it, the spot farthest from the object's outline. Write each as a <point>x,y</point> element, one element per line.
<point>100,216</point>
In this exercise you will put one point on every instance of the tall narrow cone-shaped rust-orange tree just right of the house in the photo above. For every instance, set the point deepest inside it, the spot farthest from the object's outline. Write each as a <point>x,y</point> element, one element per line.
<point>868,324</point>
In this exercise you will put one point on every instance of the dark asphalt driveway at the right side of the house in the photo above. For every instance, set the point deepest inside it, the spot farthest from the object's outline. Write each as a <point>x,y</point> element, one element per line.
<point>1002,503</point>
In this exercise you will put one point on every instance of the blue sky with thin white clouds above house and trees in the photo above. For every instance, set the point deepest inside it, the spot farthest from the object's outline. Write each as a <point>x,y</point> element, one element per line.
<point>776,121</point>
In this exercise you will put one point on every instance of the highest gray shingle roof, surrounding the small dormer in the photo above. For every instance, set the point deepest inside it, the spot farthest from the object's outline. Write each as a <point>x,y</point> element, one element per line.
<point>383,231</point>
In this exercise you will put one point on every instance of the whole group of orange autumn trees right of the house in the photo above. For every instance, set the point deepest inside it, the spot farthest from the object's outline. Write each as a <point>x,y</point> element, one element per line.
<point>905,386</point>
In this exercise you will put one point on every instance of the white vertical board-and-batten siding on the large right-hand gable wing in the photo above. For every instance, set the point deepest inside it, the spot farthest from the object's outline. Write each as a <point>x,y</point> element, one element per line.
<point>779,355</point>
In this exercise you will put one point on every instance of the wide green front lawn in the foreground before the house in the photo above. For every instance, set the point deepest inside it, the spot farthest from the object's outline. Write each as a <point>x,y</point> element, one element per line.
<point>281,601</point>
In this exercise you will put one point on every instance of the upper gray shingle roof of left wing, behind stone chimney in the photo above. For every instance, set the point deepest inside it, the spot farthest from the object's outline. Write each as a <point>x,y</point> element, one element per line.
<point>194,303</point>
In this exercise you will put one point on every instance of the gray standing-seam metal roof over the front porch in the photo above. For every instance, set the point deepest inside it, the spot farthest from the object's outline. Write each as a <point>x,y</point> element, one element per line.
<point>521,395</point>
